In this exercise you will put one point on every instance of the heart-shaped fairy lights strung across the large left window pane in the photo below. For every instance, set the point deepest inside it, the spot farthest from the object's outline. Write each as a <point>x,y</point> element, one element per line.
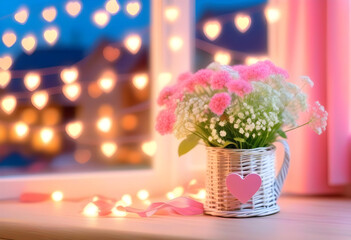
<point>71,88</point>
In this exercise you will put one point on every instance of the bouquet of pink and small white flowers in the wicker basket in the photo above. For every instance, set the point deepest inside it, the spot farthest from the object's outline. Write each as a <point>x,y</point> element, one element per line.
<point>239,107</point>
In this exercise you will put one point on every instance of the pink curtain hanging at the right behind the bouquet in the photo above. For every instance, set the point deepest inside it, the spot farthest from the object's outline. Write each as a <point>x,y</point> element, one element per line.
<point>316,42</point>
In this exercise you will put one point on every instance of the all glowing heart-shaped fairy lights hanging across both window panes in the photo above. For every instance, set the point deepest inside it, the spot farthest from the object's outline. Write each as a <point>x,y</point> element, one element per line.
<point>72,88</point>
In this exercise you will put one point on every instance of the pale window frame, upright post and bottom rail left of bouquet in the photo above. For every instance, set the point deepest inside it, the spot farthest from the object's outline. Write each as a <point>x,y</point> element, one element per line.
<point>167,170</point>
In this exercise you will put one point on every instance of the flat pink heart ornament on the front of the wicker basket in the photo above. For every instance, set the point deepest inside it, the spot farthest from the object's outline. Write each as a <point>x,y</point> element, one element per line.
<point>243,188</point>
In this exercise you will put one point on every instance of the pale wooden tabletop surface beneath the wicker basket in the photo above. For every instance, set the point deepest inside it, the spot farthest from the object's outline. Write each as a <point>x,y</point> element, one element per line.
<point>300,218</point>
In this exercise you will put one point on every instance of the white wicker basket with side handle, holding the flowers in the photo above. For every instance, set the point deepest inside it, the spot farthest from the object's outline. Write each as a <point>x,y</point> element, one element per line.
<point>221,162</point>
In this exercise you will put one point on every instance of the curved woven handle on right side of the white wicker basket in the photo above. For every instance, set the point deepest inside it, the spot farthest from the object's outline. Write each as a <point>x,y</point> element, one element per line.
<point>279,181</point>
